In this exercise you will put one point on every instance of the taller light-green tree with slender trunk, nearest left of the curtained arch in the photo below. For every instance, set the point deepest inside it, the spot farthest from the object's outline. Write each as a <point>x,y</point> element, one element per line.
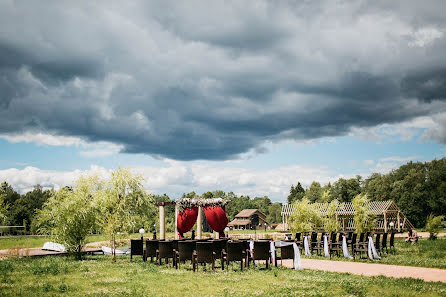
<point>122,202</point>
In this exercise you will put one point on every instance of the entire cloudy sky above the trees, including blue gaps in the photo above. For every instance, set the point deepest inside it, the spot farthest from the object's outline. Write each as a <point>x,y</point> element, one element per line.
<point>242,96</point>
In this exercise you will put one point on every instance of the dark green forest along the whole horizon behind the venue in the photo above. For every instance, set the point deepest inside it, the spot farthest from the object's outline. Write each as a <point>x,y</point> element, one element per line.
<point>419,189</point>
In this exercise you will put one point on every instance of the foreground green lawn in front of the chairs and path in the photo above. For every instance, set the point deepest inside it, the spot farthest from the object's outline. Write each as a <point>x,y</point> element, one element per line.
<point>98,276</point>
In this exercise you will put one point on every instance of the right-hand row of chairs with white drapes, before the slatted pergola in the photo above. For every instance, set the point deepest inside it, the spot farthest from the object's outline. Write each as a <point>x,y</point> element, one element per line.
<point>355,244</point>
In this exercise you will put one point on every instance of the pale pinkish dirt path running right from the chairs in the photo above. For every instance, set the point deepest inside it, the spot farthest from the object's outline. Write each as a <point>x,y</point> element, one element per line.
<point>372,269</point>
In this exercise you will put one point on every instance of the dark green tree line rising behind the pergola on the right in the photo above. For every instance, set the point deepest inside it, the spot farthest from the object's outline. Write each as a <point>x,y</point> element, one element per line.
<point>419,189</point>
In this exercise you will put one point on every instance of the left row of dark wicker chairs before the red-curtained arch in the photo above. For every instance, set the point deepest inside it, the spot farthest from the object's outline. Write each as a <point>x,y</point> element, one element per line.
<point>202,251</point>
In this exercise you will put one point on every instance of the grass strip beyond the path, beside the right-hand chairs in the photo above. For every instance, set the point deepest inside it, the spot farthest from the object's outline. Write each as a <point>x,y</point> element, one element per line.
<point>426,253</point>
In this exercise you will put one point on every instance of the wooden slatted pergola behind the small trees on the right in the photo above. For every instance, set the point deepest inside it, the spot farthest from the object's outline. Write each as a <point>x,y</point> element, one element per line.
<point>387,212</point>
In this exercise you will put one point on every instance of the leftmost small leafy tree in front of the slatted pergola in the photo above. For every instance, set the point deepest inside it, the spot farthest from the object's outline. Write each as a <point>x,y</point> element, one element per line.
<point>305,218</point>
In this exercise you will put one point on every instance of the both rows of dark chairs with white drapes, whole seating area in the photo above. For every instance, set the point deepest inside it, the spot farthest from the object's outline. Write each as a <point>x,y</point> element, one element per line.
<point>247,253</point>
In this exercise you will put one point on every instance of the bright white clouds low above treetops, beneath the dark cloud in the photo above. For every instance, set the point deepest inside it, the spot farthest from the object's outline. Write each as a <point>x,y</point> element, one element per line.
<point>181,177</point>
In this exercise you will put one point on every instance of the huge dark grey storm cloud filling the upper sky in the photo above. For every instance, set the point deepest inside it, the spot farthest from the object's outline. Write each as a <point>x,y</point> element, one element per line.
<point>189,80</point>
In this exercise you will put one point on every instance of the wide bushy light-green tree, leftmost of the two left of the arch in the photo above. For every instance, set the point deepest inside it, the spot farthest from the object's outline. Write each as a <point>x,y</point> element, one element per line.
<point>69,215</point>
